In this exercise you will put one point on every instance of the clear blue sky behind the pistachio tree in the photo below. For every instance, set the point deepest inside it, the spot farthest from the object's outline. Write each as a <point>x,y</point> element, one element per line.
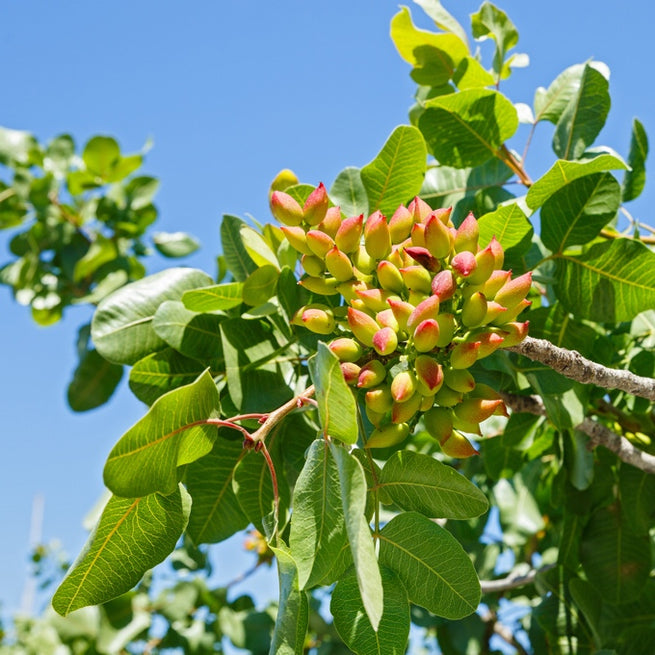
<point>231,92</point>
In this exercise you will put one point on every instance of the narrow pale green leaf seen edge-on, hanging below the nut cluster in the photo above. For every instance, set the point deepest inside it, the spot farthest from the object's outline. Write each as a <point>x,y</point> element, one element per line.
<point>353,500</point>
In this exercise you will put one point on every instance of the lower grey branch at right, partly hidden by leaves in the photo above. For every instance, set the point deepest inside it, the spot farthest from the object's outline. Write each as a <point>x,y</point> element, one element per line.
<point>598,434</point>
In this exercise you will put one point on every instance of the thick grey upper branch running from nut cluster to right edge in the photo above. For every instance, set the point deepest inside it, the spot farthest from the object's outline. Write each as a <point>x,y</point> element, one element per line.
<point>573,365</point>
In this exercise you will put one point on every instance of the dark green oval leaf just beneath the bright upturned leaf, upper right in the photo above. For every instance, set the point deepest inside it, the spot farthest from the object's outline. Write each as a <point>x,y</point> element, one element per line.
<point>576,213</point>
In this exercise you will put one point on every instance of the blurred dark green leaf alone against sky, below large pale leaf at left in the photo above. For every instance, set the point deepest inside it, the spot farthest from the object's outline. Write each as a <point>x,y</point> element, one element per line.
<point>94,381</point>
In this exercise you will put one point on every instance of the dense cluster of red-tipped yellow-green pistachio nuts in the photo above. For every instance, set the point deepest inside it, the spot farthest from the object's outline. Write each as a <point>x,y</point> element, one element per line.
<point>423,303</point>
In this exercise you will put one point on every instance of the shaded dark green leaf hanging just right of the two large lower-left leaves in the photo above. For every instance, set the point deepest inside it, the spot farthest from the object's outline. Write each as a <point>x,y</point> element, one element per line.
<point>216,513</point>
